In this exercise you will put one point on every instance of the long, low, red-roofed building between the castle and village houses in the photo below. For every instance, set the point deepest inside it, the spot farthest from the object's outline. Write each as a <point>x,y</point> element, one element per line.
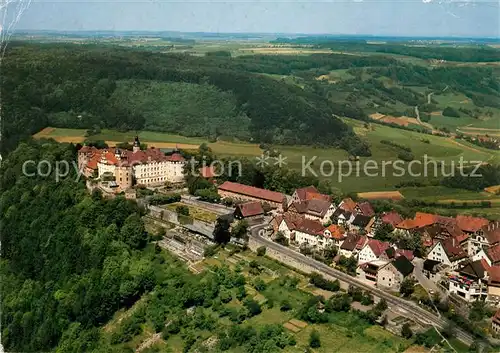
<point>243,192</point>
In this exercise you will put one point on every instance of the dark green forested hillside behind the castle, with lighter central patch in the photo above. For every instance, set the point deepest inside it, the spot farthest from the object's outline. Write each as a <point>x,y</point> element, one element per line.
<point>80,83</point>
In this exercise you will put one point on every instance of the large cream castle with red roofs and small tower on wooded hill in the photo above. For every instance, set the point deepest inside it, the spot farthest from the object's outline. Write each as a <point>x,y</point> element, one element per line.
<point>148,167</point>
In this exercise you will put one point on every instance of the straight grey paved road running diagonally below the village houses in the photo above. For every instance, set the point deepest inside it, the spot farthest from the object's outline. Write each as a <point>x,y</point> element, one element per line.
<point>413,310</point>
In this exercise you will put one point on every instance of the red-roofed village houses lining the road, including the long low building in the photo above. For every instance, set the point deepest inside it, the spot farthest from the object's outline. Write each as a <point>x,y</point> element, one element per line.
<point>462,252</point>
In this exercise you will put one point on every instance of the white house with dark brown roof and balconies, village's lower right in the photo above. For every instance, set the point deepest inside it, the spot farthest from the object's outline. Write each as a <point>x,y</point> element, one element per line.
<point>470,281</point>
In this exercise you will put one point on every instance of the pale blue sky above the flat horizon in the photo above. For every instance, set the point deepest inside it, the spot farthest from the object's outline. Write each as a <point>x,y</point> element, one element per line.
<point>465,18</point>
